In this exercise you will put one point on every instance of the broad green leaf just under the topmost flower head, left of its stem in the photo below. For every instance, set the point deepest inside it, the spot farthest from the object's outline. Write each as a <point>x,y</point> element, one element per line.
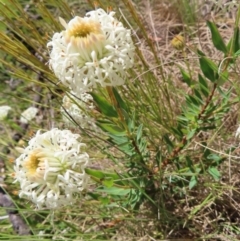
<point>105,107</point>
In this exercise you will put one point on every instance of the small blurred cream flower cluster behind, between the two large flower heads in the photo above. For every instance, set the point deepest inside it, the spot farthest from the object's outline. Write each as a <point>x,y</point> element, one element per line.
<point>78,109</point>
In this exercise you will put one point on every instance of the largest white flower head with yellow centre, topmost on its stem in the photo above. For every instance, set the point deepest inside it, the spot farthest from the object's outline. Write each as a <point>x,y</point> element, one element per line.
<point>94,49</point>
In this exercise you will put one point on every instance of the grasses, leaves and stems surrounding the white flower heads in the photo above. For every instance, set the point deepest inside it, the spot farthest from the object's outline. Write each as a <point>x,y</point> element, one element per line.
<point>169,169</point>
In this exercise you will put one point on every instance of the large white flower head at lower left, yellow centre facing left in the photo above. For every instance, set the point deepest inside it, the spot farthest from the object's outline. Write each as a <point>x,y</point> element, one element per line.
<point>52,168</point>
